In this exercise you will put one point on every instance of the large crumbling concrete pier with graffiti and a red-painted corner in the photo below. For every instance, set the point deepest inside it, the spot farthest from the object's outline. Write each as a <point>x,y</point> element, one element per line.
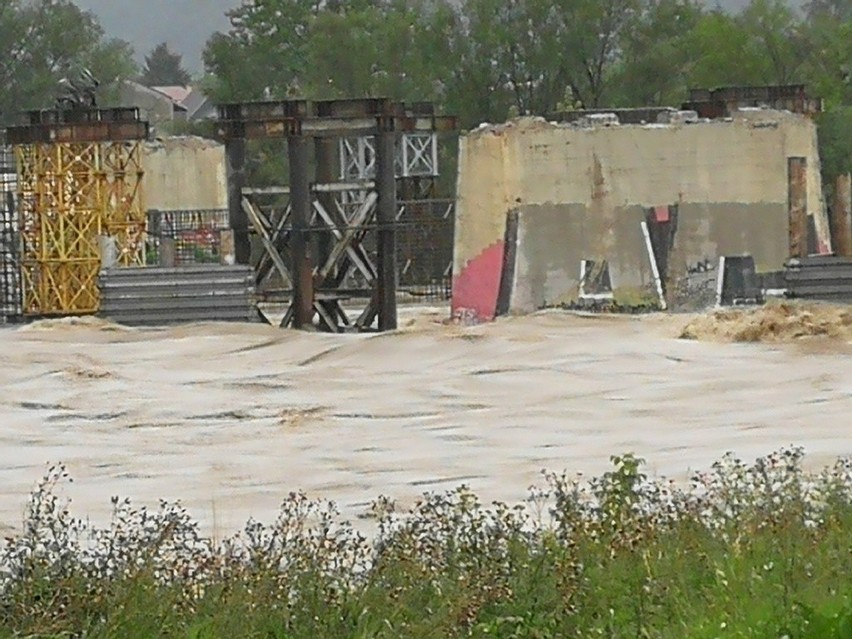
<point>581,193</point>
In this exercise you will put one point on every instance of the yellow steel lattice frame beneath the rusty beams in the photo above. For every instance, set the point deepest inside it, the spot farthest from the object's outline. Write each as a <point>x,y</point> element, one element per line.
<point>69,195</point>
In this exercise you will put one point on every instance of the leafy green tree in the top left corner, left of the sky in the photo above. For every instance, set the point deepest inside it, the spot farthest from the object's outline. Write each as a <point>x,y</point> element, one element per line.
<point>42,41</point>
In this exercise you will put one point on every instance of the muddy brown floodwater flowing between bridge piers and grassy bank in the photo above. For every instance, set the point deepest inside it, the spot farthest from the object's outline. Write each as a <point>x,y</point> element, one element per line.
<point>231,418</point>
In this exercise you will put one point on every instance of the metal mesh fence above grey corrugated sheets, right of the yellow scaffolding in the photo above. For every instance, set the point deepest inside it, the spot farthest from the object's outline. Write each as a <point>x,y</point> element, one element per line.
<point>195,235</point>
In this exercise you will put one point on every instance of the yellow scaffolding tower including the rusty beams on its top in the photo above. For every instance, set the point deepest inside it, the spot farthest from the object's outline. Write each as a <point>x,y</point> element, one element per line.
<point>79,178</point>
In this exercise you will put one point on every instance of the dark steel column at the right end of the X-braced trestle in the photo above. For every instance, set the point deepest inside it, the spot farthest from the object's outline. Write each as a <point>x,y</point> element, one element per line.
<point>386,217</point>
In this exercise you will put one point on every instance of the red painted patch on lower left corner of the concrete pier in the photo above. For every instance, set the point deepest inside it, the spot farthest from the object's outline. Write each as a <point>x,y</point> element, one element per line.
<point>476,288</point>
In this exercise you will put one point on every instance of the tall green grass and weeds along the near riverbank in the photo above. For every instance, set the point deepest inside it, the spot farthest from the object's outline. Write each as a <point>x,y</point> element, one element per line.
<point>761,550</point>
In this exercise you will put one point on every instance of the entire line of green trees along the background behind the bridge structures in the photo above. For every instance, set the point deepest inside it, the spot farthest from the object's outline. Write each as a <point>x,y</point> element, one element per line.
<point>483,60</point>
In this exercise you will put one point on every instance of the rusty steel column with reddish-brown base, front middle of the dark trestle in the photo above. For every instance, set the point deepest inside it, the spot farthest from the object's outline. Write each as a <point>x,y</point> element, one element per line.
<point>300,204</point>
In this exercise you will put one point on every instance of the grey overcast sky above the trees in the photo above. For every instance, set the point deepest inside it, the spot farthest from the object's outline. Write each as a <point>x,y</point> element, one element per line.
<point>187,24</point>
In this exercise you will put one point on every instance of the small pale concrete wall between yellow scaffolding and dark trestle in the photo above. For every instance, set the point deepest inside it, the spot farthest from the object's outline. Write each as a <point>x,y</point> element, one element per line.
<point>185,173</point>
